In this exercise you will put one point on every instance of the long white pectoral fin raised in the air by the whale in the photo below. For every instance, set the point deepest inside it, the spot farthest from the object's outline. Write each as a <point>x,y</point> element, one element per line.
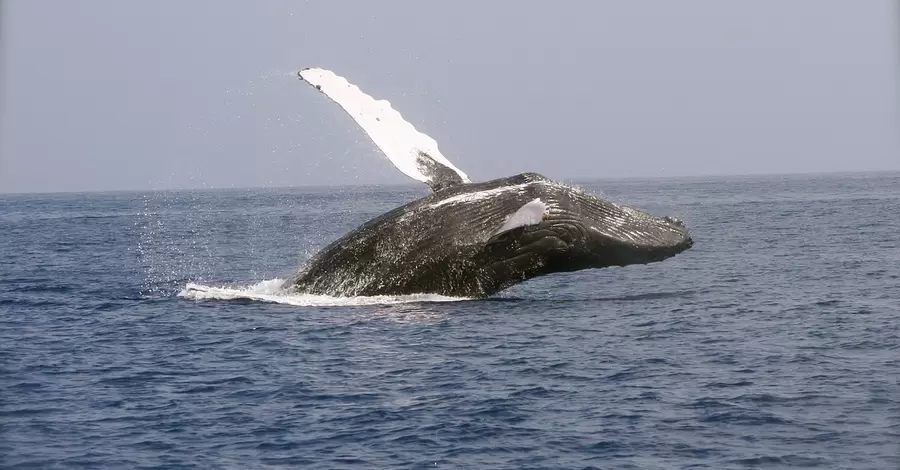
<point>412,152</point>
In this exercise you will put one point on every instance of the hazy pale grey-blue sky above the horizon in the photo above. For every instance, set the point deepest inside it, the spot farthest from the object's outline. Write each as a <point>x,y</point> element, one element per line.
<point>122,94</point>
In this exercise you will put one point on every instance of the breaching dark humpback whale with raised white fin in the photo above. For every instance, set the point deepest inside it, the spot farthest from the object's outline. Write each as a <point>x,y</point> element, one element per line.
<point>471,239</point>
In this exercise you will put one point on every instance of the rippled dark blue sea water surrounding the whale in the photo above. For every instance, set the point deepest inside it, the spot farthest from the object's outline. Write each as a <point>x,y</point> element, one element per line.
<point>773,343</point>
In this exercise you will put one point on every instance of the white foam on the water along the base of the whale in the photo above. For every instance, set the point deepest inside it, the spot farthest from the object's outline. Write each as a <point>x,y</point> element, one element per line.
<point>271,291</point>
